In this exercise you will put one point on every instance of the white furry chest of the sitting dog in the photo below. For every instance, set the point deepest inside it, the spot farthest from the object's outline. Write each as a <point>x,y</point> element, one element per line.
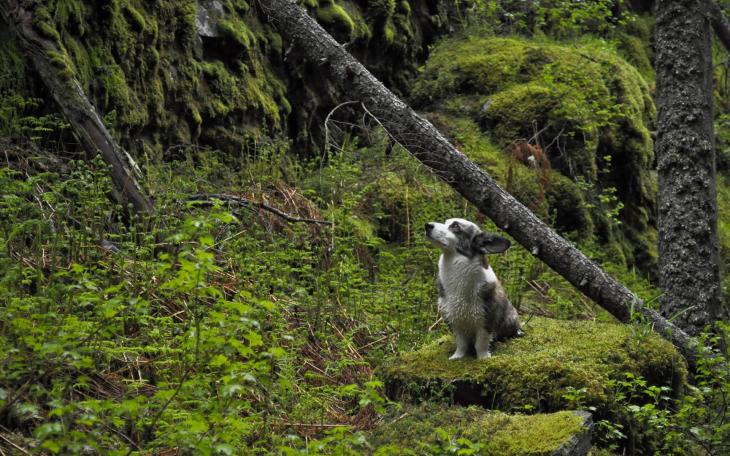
<point>462,278</point>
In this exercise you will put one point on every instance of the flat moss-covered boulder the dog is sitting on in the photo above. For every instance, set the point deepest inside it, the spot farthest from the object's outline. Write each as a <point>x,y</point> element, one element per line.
<point>557,365</point>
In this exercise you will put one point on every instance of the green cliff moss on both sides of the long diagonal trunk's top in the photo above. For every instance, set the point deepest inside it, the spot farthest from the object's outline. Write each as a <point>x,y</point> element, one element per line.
<point>142,61</point>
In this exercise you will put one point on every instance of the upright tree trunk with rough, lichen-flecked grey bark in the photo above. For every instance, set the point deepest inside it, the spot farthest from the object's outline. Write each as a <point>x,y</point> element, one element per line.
<point>689,257</point>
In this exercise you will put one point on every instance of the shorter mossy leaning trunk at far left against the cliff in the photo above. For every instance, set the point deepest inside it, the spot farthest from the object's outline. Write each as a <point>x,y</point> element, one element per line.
<point>78,110</point>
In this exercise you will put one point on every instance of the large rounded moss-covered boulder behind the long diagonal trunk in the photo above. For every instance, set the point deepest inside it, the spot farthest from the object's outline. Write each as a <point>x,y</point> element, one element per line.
<point>589,109</point>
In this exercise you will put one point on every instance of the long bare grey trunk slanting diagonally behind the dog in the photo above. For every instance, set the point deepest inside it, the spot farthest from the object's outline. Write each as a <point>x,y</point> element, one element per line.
<point>432,149</point>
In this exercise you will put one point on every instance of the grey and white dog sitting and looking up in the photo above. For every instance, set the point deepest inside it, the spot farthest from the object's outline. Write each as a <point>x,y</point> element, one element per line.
<point>471,299</point>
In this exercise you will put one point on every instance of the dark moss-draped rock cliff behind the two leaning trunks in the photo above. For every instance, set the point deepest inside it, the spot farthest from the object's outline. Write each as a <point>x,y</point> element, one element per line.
<point>212,73</point>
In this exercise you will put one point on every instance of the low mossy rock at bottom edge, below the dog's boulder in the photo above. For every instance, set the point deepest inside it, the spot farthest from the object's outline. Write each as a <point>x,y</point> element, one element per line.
<point>434,429</point>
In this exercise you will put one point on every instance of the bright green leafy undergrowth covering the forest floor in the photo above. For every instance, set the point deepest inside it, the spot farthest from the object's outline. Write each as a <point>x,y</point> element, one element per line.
<point>225,330</point>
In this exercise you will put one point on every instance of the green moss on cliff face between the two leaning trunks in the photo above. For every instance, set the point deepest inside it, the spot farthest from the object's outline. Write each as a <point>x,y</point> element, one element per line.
<point>143,62</point>
